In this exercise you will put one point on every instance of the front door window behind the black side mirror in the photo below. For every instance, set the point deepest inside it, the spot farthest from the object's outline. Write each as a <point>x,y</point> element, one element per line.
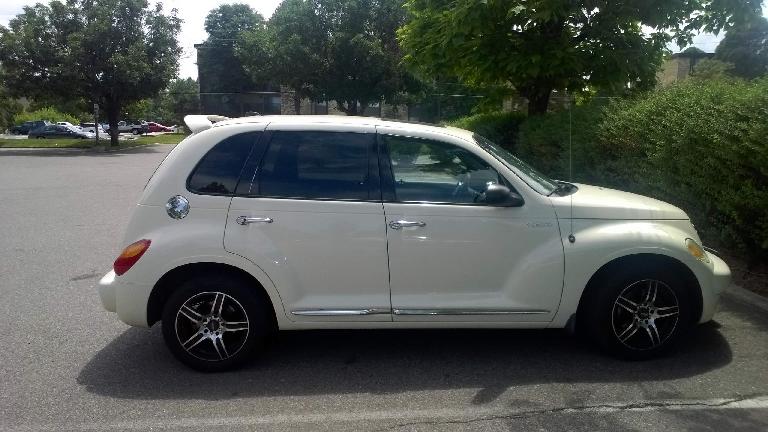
<point>438,172</point>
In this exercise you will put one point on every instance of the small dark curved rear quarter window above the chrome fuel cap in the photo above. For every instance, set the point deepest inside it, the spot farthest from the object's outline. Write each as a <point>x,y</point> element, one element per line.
<point>219,169</point>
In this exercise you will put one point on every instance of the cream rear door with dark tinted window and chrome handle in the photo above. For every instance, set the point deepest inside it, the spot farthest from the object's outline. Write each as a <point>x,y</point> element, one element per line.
<point>309,213</point>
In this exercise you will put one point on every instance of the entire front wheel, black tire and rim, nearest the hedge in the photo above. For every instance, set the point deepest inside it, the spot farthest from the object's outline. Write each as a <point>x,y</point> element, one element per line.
<point>638,313</point>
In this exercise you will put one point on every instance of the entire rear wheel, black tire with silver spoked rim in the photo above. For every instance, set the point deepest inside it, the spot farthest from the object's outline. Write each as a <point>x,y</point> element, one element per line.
<point>215,323</point>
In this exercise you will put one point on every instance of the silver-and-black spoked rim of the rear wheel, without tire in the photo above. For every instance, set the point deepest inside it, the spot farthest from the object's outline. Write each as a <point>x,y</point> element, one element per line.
<point>212,326</point>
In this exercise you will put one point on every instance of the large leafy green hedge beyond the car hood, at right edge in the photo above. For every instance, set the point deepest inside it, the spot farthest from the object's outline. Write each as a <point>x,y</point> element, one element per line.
<point>700,144</point>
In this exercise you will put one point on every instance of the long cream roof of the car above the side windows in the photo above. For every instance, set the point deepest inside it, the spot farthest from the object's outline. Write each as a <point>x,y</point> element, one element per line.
<point>309,120</point>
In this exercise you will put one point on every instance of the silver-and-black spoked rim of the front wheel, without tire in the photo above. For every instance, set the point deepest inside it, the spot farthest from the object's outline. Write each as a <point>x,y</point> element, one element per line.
<point>645,314</point>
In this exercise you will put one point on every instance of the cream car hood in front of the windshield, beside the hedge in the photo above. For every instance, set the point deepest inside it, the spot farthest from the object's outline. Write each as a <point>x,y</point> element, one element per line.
<point>594,202</point>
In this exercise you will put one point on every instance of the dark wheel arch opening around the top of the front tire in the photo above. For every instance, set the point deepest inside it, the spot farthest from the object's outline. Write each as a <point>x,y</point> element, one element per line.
<point>644,259</point>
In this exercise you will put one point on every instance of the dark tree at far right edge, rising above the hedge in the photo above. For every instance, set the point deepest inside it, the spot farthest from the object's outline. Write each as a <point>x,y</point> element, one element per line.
<point>746,47</point>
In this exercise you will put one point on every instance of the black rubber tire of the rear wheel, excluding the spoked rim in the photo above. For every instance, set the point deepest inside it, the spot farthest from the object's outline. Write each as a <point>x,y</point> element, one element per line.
<point>255,307</point>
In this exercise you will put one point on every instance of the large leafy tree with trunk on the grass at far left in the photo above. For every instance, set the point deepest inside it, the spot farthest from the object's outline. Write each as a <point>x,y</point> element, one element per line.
<point>111,52</point>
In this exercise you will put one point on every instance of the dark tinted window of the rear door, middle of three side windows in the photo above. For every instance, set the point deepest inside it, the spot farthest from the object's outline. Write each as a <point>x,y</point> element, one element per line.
<point>316,165</point>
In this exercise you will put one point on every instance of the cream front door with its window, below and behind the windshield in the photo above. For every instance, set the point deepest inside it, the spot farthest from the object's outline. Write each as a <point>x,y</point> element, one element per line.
<point>453,257</point>
